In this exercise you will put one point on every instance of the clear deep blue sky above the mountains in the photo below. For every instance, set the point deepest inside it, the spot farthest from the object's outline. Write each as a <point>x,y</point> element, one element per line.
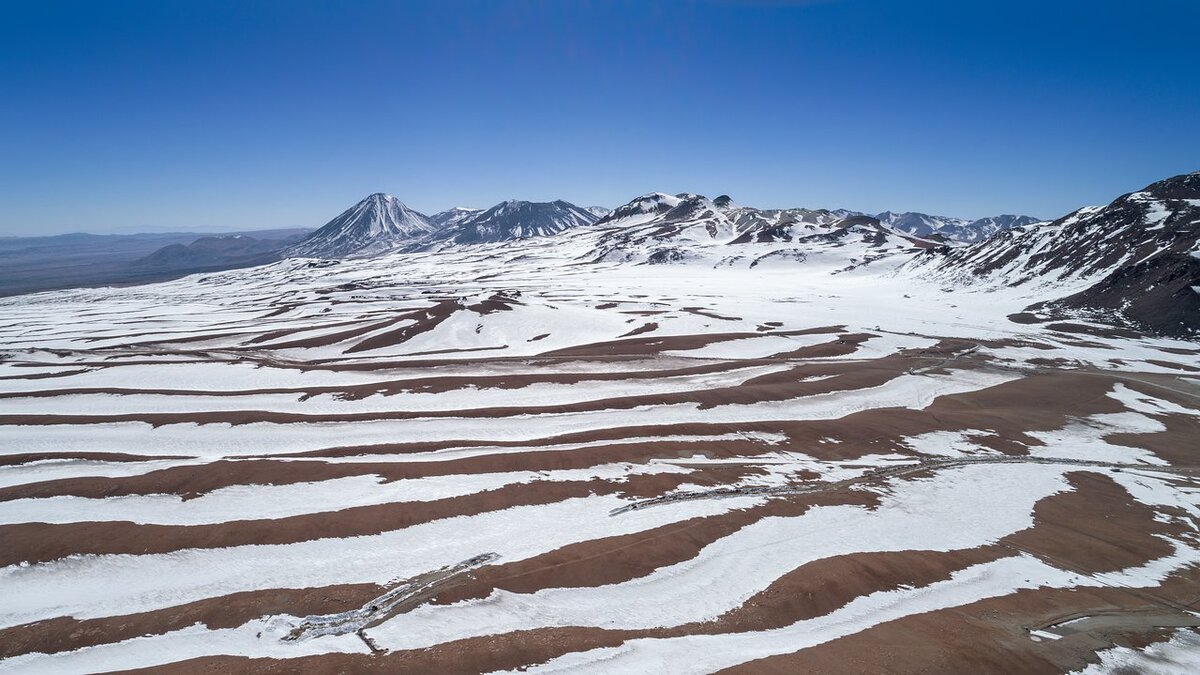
<point>123,116</point>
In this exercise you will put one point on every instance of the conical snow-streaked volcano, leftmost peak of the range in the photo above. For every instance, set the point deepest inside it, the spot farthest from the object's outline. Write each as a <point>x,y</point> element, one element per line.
<point>377,224</point>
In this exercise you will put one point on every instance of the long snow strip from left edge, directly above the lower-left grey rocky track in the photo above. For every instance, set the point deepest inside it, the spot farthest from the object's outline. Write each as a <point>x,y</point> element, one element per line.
<point>107,586</point>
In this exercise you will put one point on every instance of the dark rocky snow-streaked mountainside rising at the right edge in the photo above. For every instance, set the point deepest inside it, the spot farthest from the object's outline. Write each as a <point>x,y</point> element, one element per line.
<point>1137,256</point>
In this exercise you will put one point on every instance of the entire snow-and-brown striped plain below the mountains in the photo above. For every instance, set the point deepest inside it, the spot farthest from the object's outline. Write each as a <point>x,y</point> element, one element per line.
<point>830,464</point>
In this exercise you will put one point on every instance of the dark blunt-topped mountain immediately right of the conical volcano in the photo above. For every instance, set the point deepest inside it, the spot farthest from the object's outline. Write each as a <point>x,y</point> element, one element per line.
<point>514,220</point>
